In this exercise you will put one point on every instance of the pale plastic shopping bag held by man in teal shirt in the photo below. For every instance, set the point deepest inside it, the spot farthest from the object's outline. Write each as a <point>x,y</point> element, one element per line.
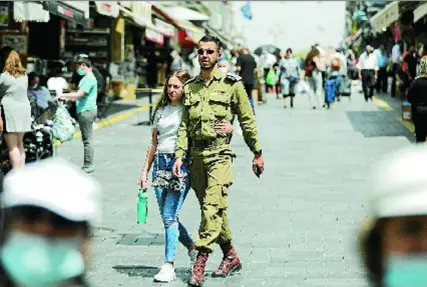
<point>63,128</point>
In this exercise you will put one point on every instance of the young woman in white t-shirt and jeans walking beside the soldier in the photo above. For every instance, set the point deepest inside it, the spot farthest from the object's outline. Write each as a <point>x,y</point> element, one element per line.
<point>170,192</point>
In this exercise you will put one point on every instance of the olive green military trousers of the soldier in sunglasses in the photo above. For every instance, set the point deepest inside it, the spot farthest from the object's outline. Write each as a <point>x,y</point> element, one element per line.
<point>210,178</point>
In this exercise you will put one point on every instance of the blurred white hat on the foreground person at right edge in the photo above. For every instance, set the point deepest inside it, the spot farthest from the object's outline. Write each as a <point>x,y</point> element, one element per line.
<point>400,183</point>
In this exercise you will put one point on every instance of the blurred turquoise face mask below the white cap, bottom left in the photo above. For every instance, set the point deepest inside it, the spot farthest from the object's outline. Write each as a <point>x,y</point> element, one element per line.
<point>35,261</point>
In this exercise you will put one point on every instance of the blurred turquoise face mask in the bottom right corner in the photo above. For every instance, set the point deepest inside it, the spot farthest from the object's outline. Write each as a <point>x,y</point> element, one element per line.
<point>406,270</point>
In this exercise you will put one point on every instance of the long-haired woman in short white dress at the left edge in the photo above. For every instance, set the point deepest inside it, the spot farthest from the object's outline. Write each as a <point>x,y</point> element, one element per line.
<point>15,106</point>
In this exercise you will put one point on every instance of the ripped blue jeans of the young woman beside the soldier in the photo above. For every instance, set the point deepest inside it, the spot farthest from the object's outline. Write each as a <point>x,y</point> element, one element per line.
<point>170,203</point>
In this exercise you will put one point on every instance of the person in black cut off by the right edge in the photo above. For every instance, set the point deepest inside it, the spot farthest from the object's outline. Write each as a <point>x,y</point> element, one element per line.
<point>418,98</point>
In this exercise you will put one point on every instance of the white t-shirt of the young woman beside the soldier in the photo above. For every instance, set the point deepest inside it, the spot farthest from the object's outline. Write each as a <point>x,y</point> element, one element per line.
<point>167,121</point>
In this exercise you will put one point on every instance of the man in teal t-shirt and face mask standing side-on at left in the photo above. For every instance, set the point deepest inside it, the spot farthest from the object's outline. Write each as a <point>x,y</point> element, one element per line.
<point>86,107</point>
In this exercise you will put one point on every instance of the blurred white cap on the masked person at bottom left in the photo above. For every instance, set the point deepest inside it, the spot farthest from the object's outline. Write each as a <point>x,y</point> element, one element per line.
<point>55,185</point>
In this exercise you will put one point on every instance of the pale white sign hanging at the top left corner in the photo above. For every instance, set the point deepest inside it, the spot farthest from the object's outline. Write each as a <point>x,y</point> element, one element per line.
<point>30,11</point>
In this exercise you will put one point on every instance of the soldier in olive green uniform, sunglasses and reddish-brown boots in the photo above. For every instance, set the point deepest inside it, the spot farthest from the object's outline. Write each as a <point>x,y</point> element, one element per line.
<point>210,98</point>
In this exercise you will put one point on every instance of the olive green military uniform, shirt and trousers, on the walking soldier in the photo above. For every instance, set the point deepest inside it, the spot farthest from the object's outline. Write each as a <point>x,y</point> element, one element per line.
<point>211,155</point>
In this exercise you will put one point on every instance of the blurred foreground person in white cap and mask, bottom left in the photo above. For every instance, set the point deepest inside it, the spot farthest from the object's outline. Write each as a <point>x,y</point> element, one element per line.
<point>45,240</point>
